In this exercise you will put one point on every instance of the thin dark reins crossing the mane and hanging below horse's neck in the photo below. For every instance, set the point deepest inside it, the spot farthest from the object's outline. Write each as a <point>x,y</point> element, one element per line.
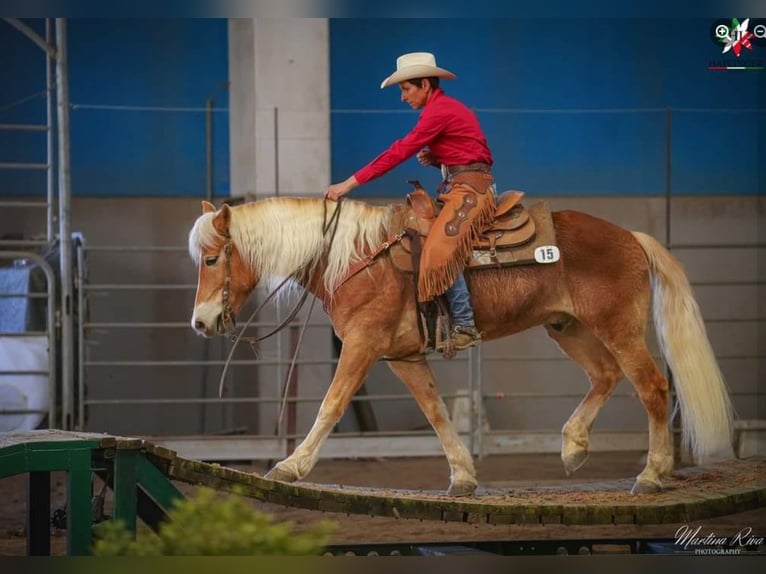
<point>334,219</point>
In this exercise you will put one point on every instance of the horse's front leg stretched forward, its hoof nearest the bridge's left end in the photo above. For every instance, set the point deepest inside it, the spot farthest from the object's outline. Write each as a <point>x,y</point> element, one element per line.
<point>354,363</point>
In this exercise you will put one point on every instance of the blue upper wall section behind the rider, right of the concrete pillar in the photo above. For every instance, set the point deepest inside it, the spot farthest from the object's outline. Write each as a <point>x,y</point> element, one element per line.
<point>538,86</point>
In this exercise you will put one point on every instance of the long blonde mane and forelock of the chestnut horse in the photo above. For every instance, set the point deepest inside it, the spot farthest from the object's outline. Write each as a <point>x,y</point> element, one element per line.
<point>281,236</point>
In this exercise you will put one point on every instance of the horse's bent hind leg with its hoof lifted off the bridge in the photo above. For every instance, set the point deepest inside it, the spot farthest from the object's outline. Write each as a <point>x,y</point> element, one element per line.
<point>579,343</point>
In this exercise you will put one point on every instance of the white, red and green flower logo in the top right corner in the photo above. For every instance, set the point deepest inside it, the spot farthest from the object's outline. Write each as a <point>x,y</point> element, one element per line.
<point>737,38</point>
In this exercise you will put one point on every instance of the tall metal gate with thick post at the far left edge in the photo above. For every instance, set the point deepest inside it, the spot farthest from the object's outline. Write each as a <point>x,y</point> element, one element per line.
<point>44,252</point>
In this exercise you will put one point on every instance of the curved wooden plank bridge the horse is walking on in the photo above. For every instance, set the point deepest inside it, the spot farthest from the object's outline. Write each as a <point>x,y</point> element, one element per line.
<point>692,493</point>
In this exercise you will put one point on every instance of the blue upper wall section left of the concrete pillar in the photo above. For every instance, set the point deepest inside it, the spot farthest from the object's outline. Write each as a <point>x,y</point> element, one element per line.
<point>169,65</point>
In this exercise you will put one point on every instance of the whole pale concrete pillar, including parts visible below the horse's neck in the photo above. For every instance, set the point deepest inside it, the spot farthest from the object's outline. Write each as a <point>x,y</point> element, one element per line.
<point>279,101</point>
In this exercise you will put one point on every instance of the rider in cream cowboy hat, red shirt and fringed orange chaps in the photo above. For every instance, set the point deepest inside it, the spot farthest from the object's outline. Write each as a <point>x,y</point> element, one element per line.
<point>447,135</point>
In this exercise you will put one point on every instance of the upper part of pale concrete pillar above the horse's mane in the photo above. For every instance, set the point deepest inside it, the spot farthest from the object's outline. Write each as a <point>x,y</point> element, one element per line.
<point>279,106</point>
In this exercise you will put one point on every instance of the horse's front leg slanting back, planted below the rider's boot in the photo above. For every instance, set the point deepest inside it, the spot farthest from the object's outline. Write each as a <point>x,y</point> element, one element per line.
<point>419,379</point>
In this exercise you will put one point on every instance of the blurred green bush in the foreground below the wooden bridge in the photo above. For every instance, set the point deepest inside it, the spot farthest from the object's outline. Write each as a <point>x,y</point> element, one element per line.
<point>214,525</point>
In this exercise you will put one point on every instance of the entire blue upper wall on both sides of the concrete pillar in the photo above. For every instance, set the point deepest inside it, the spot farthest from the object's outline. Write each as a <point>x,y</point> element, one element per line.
<point>540,88</point>
